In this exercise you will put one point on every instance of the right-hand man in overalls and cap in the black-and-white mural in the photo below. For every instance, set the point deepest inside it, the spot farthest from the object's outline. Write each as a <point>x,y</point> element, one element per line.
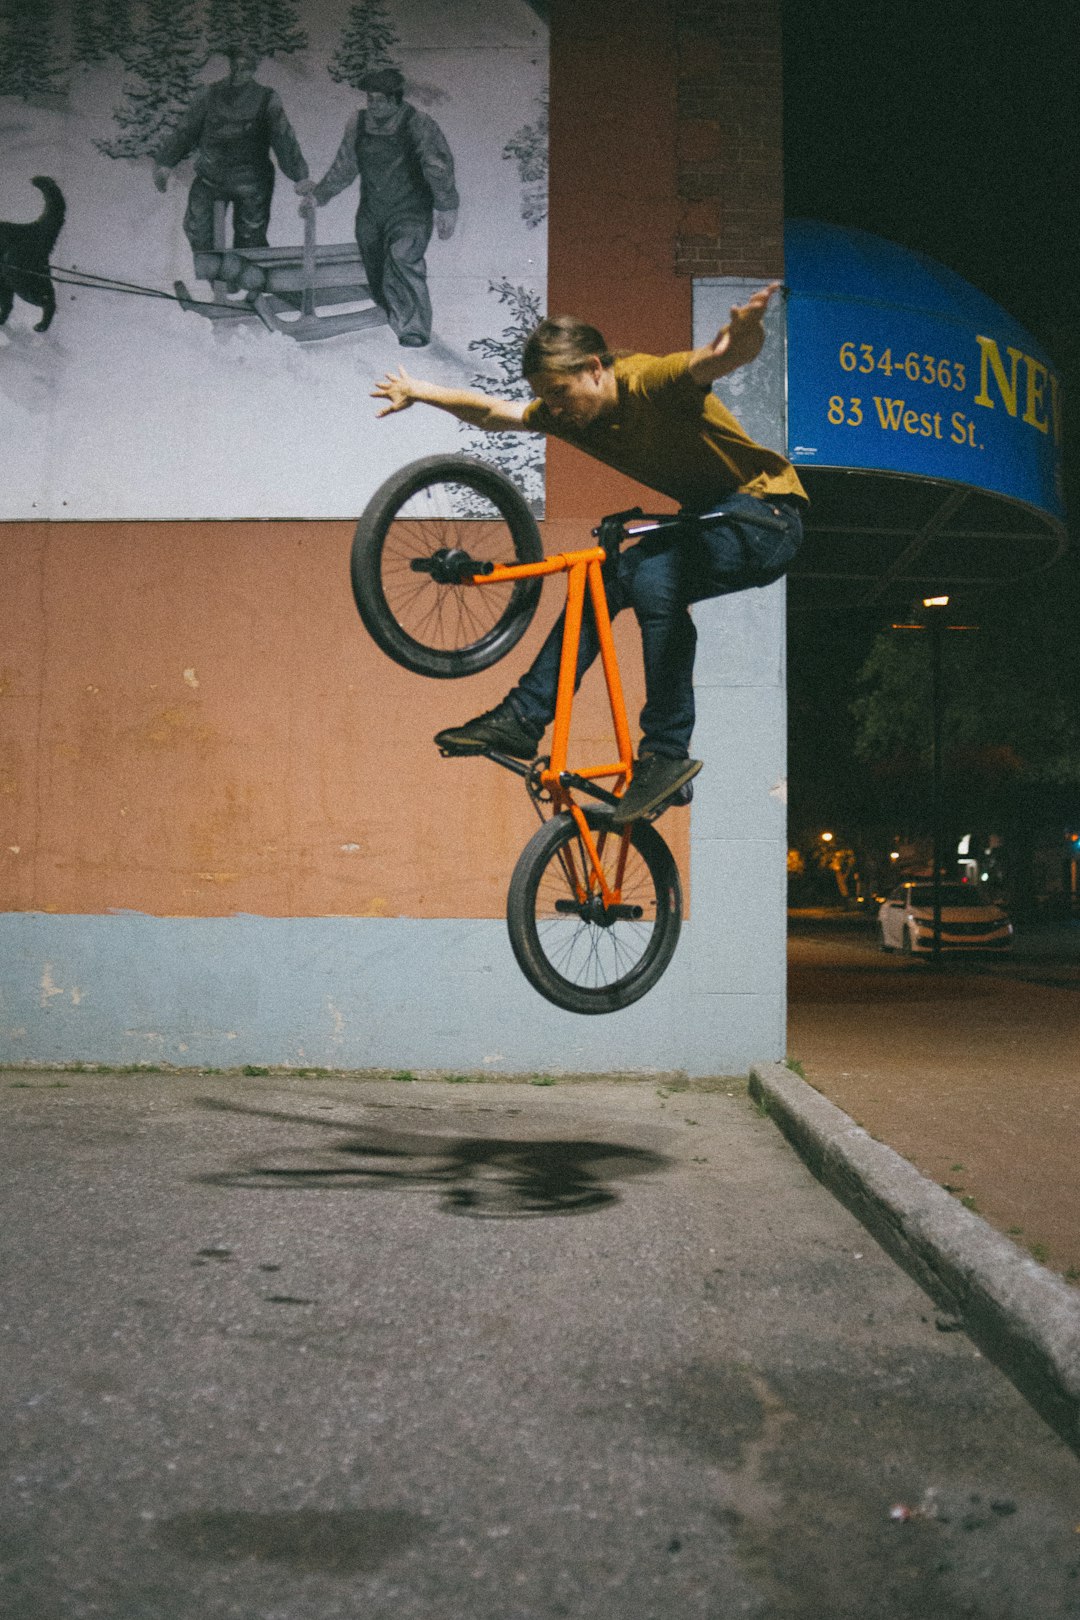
<point>407,190</point>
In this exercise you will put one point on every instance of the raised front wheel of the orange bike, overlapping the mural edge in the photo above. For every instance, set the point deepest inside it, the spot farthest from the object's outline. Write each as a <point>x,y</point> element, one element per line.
<point>412,556</point>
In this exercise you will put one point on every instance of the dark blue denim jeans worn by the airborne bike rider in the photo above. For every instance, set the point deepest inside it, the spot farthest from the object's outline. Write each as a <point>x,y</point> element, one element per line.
<point>736,547</point>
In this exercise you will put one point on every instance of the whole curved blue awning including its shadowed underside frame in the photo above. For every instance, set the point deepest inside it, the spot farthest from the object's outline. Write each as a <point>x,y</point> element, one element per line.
<point>925,424</point>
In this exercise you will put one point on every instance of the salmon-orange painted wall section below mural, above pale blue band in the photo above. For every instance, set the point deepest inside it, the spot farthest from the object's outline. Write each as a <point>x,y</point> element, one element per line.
<point>195,723</point>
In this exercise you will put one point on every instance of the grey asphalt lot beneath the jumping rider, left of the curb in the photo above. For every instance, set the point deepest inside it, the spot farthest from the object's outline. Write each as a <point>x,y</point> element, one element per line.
<point>318,1347</point>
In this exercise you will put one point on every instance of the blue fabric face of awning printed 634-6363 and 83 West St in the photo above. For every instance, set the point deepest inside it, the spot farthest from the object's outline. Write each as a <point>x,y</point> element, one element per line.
<point>899,365</point>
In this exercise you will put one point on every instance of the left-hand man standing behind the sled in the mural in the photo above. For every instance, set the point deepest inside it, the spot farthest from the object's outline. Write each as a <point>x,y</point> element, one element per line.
<point>232,127</point>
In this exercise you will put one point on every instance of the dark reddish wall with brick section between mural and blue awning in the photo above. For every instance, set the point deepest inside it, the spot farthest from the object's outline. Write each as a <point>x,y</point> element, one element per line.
<point>666,163</point>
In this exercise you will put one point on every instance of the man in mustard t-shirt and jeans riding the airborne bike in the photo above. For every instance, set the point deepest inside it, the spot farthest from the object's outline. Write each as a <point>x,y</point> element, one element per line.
<point>657,420</point>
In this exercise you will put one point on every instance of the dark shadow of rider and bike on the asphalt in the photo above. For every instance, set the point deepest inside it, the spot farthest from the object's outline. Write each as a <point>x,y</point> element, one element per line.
<point>483,1177</point>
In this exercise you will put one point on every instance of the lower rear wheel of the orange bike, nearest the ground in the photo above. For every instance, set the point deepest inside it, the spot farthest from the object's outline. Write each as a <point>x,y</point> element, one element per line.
<point>579,953</point>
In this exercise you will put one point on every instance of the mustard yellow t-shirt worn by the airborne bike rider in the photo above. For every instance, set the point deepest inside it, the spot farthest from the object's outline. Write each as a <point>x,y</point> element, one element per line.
<point>676,437</point>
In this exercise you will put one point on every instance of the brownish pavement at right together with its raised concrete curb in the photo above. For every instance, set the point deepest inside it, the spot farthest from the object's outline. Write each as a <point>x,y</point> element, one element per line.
<point>955,1133</point>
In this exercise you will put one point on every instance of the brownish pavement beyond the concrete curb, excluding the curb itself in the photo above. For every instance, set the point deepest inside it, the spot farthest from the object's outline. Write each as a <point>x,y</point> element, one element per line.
<point>972,1073</point>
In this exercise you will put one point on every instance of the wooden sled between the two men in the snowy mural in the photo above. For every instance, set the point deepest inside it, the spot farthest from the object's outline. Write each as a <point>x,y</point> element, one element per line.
<point>286,289</point>
